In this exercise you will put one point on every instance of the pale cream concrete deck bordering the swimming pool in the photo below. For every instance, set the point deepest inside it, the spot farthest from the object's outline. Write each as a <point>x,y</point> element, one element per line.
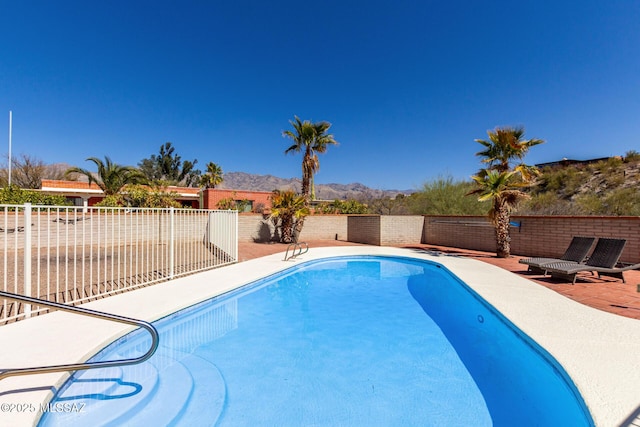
<point>599,350</point>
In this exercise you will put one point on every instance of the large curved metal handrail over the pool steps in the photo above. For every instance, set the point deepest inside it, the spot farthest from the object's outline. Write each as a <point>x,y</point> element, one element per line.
<point>86,365</point>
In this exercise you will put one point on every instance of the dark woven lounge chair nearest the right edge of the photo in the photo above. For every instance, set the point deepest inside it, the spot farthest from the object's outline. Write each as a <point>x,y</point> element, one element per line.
<point>603,260</point>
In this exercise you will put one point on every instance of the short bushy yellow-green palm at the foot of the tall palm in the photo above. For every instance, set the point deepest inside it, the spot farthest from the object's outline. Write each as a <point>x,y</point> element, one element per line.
<point>290,209</point>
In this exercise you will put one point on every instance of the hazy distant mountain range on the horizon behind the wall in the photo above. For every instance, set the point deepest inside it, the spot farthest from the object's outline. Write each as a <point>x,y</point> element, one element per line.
<point>251,182</point>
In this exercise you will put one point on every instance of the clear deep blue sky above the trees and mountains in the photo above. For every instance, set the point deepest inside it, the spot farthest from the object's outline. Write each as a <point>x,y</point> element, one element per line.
<point>407,85</point>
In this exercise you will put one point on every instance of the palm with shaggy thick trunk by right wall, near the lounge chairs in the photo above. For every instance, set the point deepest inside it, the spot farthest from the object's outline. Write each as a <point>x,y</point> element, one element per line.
<point>502,180</point>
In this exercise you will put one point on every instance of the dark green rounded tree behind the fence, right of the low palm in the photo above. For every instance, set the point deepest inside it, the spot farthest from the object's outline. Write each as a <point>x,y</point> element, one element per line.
<point>167,168</point>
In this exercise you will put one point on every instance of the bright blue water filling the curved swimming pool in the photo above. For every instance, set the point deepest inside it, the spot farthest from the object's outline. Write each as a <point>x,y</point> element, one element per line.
<point>345,341</point>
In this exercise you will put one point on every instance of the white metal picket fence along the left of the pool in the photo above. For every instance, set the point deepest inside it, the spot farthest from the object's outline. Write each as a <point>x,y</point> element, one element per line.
<point>76,254</point>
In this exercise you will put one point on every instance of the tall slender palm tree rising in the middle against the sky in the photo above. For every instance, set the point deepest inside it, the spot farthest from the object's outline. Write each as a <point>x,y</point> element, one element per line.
<point>310,138</point>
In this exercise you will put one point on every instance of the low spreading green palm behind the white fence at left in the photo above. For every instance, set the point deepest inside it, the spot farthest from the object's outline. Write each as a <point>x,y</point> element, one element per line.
<point>111,177</point>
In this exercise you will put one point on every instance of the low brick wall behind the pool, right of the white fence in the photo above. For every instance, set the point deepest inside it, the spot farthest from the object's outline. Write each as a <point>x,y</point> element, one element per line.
<point>536,235</point>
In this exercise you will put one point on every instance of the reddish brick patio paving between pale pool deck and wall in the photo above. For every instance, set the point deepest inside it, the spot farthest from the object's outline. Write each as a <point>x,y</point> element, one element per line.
<point>606,294</point>
